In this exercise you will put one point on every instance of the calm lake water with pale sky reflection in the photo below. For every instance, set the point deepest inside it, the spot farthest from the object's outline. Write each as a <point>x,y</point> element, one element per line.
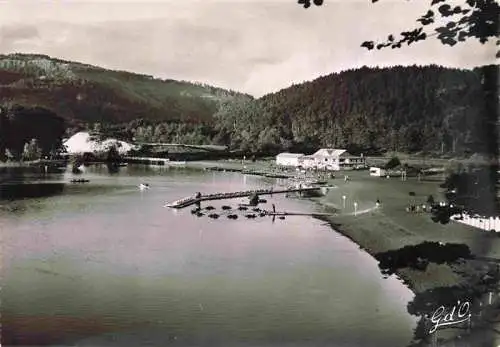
<point>104,264</point>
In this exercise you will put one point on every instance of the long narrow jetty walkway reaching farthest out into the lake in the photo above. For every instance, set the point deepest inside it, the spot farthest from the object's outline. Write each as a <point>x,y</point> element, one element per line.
<point>191,200</point>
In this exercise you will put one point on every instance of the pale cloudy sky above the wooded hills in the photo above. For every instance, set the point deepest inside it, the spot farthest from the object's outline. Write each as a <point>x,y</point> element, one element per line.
<point>251,46</point>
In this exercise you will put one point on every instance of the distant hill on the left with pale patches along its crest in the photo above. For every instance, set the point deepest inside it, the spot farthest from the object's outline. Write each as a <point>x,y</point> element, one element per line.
<point>82,93</point>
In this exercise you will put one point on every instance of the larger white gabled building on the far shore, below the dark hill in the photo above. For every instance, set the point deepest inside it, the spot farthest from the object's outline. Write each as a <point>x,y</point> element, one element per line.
<point>333,159</point>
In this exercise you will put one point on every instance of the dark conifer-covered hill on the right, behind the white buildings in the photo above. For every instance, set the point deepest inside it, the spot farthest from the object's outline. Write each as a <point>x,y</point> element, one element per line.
<point>404,109</point>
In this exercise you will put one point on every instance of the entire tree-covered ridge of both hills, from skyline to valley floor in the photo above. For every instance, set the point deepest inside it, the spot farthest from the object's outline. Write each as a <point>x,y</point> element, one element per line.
<point>365,110</point>
